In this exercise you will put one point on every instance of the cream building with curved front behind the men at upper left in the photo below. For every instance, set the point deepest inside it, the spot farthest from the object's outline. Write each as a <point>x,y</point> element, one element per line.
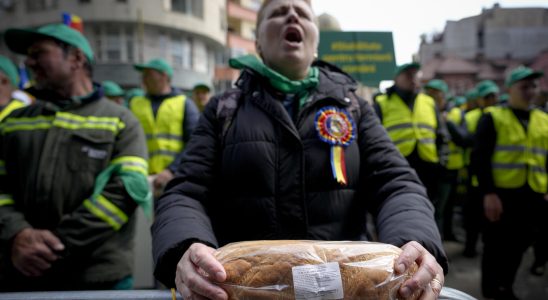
<point>189,34</point>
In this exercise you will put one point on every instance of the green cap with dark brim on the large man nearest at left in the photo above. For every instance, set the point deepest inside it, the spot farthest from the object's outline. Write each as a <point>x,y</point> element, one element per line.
<point>19,40</point>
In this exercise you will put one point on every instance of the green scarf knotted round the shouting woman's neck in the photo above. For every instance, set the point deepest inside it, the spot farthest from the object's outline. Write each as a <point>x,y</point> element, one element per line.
<point>300,88</point>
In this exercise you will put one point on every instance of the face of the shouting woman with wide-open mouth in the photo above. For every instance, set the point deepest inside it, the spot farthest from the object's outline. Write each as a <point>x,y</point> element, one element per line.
<point>287,37</point>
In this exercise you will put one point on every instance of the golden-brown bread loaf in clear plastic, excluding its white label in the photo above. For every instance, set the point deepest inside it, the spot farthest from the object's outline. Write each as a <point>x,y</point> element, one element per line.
<point>263,269</point>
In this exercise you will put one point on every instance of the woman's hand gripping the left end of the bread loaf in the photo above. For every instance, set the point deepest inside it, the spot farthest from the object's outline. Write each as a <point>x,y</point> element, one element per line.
<point>190,282</point>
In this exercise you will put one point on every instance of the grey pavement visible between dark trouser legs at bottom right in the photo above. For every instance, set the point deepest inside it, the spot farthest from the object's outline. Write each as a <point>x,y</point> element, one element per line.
<point>465,273</point>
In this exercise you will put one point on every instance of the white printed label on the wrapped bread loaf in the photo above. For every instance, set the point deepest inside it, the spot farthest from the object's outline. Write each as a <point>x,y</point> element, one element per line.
<point>318,282</point>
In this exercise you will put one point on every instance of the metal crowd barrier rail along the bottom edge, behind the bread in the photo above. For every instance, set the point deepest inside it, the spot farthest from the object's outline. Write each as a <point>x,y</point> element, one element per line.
<point>446,294</point>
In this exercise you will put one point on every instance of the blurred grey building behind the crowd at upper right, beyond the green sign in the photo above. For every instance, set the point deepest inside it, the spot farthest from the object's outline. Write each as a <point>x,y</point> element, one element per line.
<point>485,46</point>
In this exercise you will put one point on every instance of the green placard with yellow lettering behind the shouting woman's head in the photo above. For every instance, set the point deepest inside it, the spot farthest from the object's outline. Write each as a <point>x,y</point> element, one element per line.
<point>367,56</point>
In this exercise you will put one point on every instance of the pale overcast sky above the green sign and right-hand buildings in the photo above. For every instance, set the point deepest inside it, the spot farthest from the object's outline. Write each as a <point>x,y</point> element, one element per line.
<point>407,19</point>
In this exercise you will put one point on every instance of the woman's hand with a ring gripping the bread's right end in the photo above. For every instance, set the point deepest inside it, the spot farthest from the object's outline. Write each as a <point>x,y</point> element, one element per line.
<point>428,280</point>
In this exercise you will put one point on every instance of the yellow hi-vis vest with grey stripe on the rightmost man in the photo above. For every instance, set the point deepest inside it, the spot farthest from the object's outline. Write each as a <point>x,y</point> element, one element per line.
<point>519,156</point>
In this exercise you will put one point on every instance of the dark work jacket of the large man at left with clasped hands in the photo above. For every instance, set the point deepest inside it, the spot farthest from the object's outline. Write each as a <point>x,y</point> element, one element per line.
<point>49,172</point>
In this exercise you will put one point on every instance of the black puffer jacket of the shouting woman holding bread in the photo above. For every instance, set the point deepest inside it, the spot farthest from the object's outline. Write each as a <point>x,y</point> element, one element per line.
<point>270,178</point>
